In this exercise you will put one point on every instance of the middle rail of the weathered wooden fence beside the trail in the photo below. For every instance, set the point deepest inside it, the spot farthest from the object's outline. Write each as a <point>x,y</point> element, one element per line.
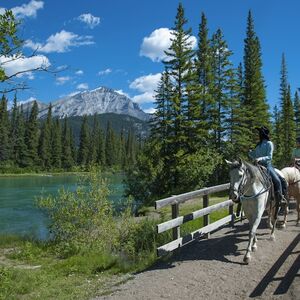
<point>192,216</point>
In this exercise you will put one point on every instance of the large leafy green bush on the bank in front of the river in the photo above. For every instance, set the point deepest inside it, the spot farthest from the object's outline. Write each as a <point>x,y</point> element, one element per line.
<point>81,219</point>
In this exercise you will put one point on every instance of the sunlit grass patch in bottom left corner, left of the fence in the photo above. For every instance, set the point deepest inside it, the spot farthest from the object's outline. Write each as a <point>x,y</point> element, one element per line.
<point>30,270</point>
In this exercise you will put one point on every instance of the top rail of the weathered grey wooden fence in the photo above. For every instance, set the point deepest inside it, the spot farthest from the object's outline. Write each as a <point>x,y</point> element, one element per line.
<point>190,195</point>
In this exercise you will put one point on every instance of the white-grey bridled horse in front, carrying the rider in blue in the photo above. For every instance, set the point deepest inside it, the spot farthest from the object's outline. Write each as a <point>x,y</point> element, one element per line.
<point>249,186</point>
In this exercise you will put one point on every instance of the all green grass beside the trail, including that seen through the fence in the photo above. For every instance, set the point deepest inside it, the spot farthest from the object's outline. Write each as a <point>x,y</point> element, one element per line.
<point>32,270</point>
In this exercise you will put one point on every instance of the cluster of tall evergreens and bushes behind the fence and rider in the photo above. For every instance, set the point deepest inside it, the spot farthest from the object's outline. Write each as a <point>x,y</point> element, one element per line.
<point>207,110</point>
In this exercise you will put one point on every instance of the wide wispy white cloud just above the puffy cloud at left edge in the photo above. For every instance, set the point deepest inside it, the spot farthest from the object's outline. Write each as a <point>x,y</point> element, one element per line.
<point>60,42</point>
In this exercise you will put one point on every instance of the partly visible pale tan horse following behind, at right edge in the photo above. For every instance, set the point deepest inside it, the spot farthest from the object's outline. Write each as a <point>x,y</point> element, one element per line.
<point>292,176</point>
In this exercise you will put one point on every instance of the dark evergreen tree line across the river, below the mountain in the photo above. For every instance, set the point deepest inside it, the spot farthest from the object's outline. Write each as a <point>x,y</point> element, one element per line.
<point>32,144</point>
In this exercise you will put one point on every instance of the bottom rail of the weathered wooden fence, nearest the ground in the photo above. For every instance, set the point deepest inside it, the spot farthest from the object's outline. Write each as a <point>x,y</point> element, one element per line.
<point>165,249</point>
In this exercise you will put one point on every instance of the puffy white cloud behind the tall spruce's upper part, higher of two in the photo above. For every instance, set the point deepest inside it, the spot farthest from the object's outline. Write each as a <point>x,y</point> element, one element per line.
<point>159,40</point>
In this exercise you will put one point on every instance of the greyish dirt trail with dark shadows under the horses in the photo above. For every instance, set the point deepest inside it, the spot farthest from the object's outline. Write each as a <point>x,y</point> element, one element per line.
<point>213,269</point>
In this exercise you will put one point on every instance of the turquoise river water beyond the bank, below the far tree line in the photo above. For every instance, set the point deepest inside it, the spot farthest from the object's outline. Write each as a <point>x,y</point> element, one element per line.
<point>18,213</point>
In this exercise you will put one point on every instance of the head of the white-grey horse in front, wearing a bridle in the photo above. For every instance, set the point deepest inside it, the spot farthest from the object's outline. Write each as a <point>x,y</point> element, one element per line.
<point>237,178</point>
